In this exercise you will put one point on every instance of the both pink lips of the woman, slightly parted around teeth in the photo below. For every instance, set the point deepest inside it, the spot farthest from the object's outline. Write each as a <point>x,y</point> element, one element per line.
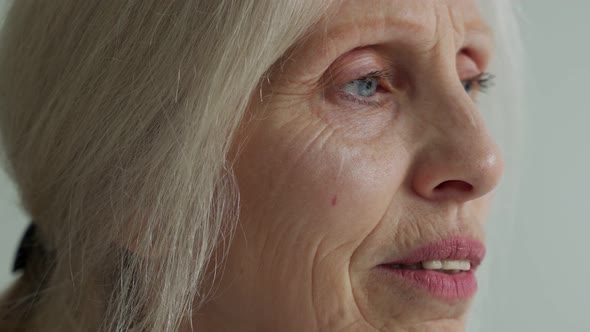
<point>449,287</point>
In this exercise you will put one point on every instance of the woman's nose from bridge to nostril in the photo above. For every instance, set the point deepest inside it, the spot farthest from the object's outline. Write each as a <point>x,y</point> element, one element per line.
<point>458,159</point>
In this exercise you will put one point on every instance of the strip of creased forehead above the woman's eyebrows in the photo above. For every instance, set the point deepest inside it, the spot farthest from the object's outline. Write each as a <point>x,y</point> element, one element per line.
<point>417,21</point>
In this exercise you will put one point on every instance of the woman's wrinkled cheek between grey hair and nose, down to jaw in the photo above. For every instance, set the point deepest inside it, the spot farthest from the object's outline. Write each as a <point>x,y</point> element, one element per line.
<point>310,195</point>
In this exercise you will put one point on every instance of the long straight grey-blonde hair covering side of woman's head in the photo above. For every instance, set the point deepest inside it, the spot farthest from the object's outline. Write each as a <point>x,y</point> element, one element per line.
<point>116,121</point>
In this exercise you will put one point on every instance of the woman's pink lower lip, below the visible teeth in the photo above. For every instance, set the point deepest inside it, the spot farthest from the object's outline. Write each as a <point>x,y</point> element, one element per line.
<point>449,287</point>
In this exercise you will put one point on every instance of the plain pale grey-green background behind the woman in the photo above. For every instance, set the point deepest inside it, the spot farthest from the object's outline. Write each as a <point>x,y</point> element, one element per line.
<point>537,277</point>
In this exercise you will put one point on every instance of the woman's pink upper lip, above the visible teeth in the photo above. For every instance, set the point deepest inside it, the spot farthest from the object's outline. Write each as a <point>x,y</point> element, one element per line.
<point>451,249</point>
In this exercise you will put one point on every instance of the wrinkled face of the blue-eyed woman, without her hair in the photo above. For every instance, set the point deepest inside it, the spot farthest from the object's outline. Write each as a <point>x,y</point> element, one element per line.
<point>365,178</point>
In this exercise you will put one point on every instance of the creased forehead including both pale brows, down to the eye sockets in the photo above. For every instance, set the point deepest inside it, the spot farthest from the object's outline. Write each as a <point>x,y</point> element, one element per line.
<point>418,25</point>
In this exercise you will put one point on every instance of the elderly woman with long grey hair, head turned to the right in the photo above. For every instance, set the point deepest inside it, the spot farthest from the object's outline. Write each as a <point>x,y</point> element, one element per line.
<point>224,165</point>
